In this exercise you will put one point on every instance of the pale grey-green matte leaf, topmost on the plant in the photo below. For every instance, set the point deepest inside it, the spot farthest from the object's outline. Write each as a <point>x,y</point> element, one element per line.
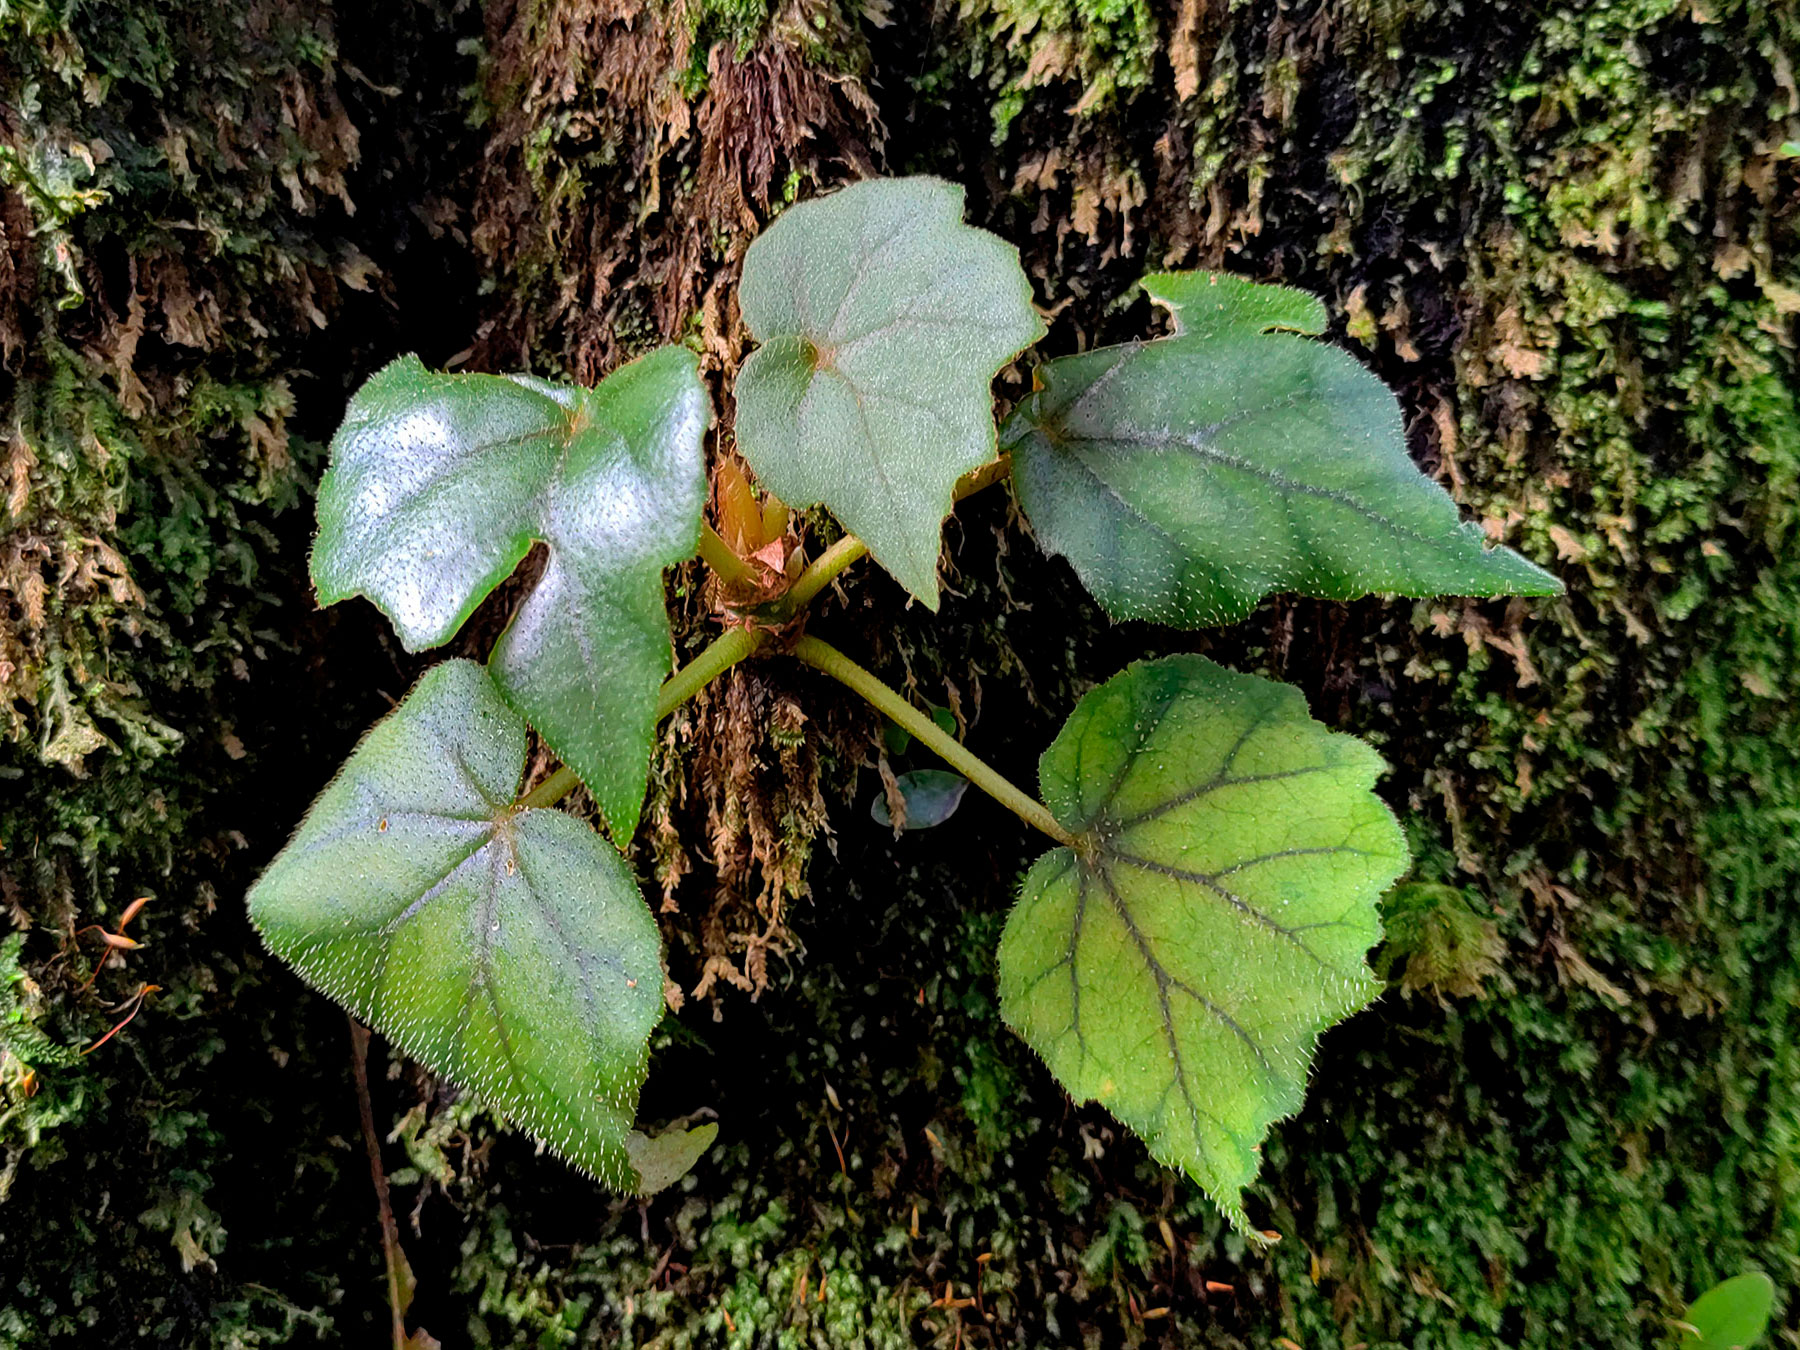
<point>883,321</point>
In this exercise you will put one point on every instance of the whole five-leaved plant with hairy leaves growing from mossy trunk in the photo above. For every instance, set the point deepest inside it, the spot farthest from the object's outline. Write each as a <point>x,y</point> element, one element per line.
<point>1210,897</point>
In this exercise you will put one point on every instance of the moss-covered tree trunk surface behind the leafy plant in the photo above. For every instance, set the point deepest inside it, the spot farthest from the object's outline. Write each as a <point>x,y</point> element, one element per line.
<point>1565,235</point>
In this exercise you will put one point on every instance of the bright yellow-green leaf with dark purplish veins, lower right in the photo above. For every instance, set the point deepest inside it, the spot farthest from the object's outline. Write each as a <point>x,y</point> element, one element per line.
<point>1180,966</point>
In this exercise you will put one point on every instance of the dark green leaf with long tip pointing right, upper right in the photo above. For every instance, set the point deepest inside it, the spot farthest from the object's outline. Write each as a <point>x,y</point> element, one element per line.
<point>1189,478</point>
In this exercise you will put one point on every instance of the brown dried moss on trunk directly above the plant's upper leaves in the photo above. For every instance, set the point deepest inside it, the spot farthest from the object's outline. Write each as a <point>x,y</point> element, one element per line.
<point>616,202</point>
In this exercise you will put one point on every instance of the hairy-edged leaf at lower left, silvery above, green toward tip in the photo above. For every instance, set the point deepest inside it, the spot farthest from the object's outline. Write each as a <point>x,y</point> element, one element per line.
<point>507,949</point>
